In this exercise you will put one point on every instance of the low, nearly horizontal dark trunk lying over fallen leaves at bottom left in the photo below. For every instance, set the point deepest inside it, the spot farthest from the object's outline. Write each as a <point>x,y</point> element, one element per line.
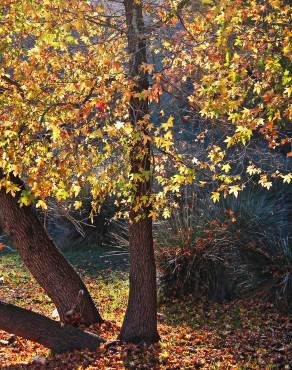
<point>40,329</point>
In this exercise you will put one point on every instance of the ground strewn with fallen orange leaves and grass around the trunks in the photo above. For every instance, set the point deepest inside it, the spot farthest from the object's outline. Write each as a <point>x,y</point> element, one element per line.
<point>245,334</point>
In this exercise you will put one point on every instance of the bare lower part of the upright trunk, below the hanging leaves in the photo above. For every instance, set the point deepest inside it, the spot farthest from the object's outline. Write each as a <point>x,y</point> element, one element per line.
<point>140,323</point>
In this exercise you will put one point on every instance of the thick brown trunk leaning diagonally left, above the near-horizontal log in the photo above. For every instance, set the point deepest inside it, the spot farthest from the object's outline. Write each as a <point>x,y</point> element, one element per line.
<point>45,262</point>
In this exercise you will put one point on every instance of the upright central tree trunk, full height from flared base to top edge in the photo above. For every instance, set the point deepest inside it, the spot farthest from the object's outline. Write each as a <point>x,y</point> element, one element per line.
<point>140,323</point>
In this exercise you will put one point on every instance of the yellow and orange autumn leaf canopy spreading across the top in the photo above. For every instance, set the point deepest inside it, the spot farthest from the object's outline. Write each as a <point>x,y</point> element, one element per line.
<point>65,91</point>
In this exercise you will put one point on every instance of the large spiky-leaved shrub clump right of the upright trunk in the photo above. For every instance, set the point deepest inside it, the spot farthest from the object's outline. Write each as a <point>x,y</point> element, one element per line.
<point>237,247</point>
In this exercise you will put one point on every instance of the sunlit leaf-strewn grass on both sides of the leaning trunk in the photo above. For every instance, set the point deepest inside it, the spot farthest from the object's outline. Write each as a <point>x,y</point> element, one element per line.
<point>103,270</point>
